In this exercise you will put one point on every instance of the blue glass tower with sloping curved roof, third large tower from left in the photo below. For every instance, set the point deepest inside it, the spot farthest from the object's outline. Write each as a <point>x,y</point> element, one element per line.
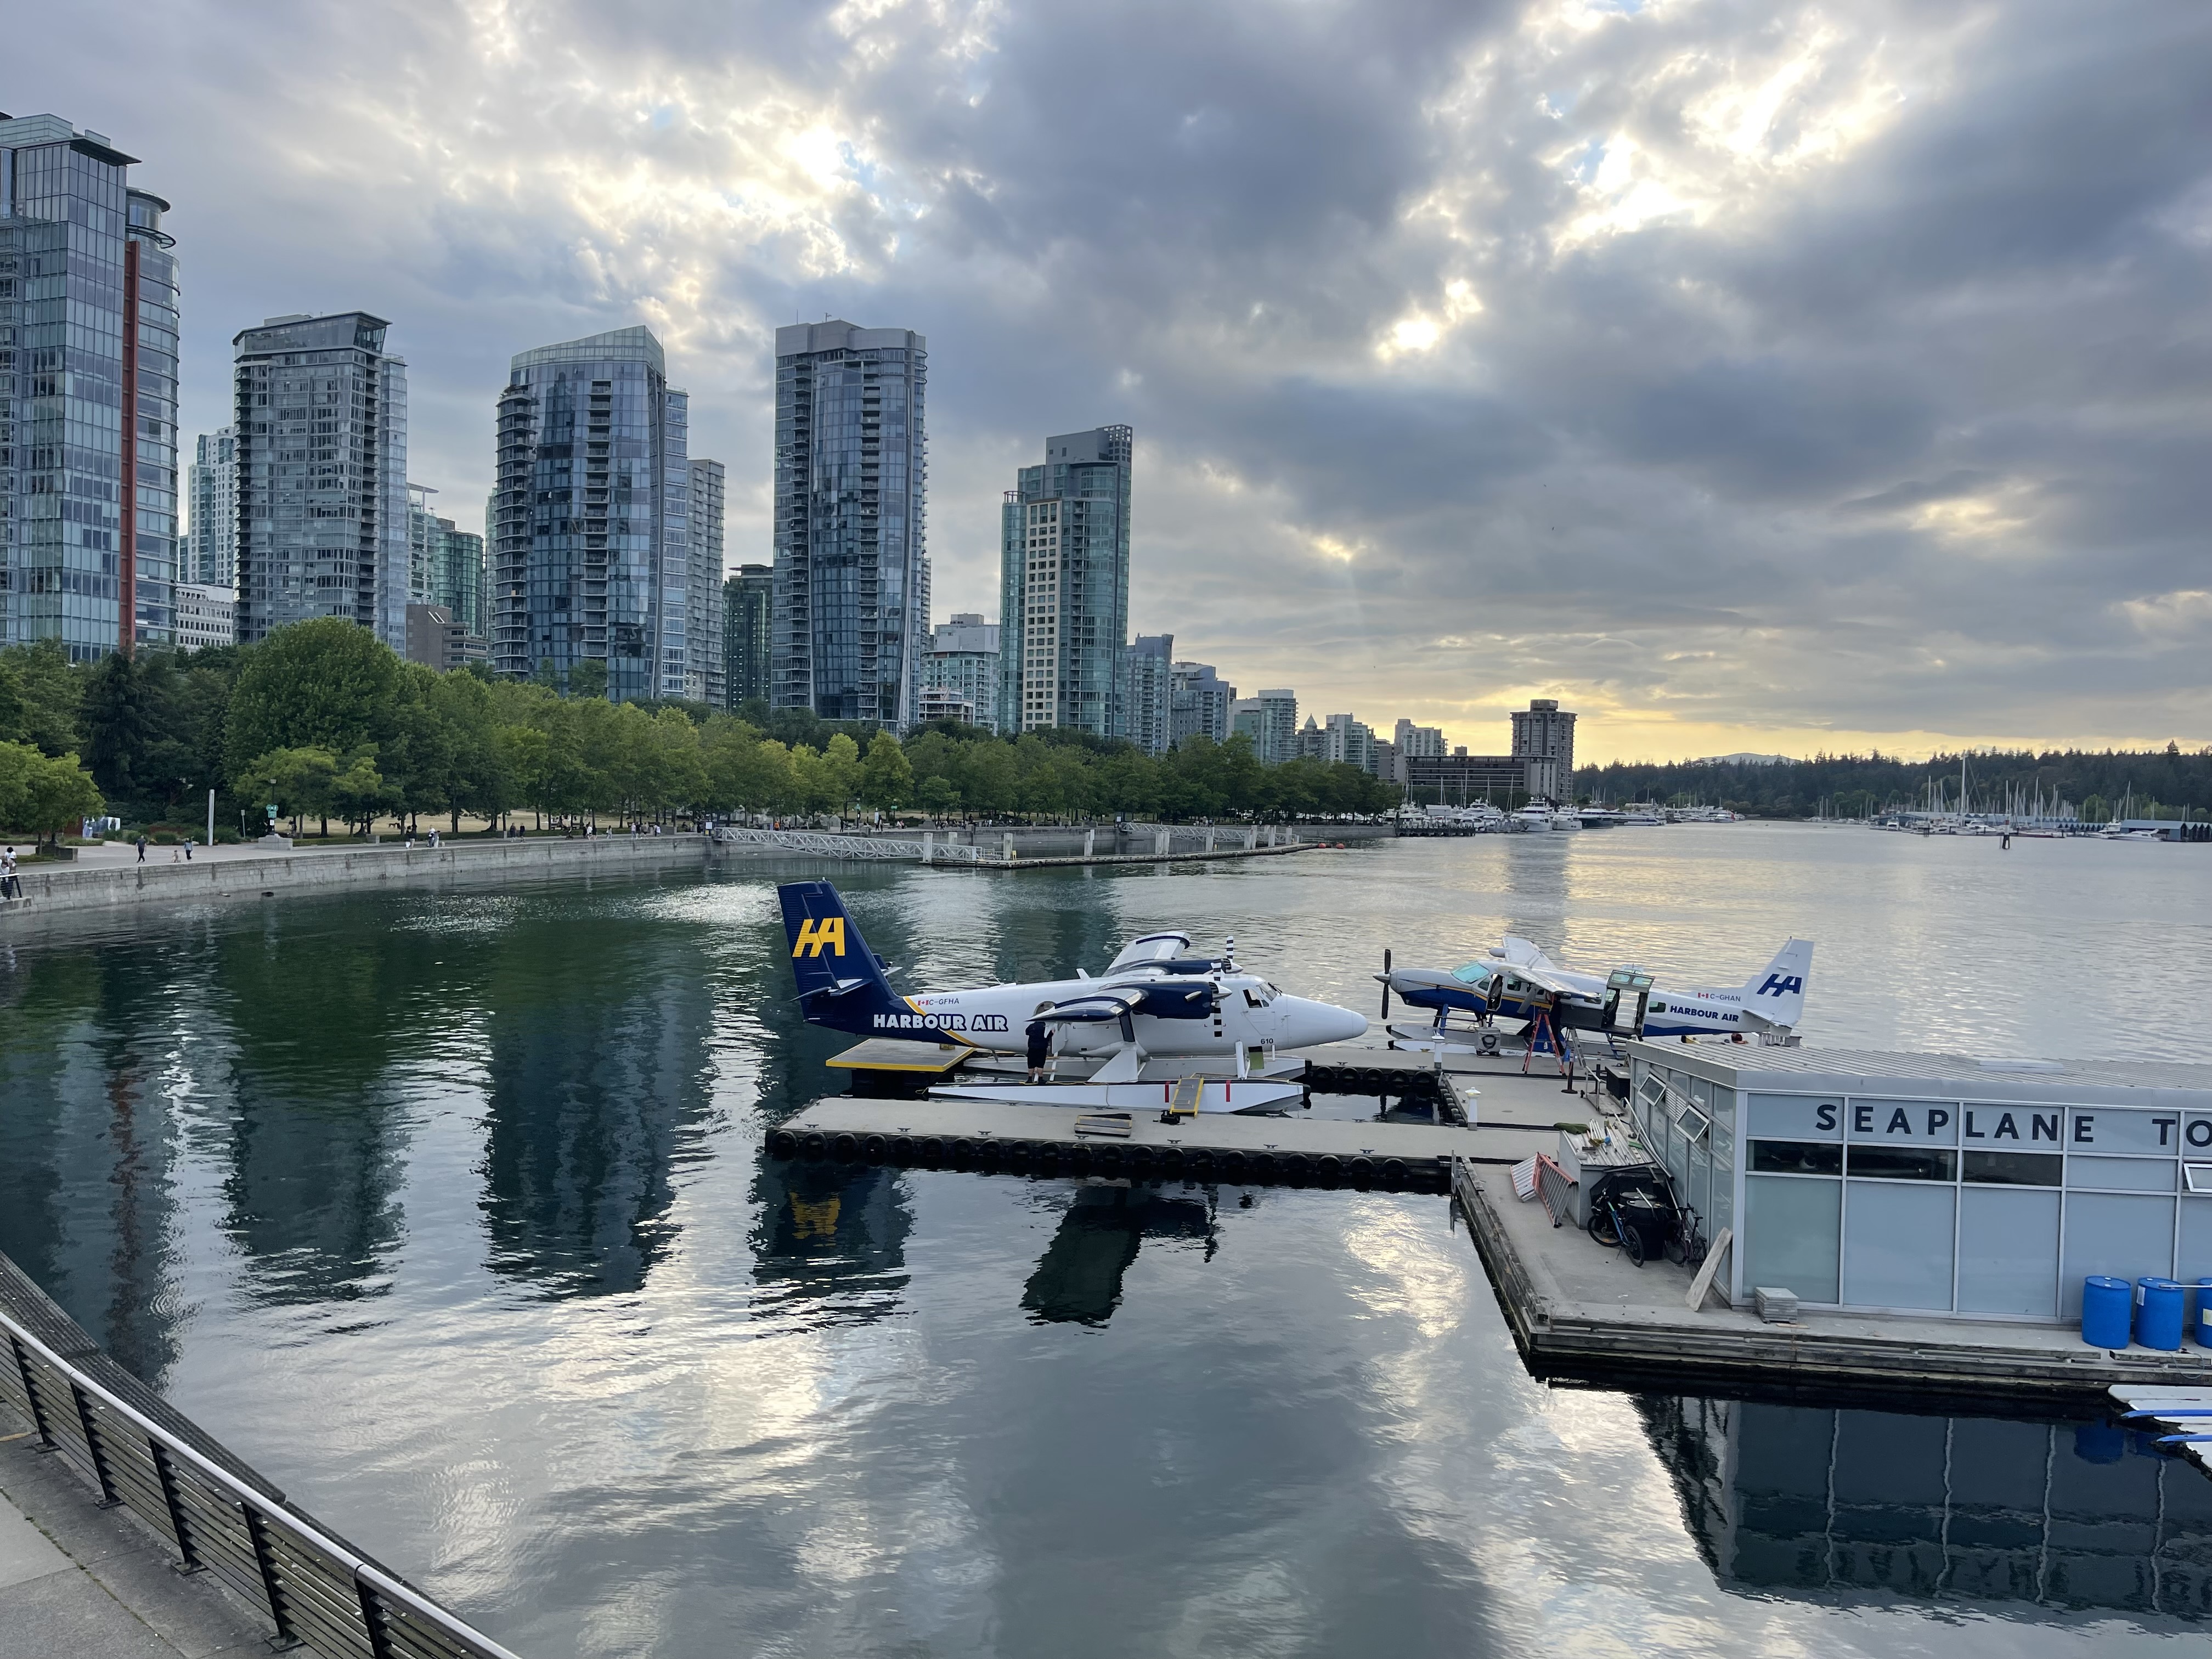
<point>592,517</point>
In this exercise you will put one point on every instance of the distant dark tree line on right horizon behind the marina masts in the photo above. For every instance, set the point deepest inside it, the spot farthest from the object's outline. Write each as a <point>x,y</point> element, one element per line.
<point>2162,784</point>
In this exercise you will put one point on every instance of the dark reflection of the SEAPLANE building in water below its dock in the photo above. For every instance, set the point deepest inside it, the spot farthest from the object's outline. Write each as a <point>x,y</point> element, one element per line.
<point>1813,1499</point>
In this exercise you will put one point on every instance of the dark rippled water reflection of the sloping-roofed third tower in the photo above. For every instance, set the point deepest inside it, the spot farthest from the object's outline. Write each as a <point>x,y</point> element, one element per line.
<point>594,1089</point>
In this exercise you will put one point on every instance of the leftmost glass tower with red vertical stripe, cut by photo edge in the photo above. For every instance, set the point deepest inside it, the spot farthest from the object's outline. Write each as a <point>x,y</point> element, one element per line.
<point>87,395</point>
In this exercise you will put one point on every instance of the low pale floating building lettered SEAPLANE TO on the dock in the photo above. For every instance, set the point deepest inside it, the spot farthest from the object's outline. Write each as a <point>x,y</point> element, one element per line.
<point>1934,1185</point>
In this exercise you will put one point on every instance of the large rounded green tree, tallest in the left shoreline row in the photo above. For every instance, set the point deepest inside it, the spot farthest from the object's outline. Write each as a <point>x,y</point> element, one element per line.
<point>315,685</point>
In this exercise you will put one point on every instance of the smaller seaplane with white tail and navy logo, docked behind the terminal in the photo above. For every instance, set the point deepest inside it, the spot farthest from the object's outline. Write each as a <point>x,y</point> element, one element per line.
<point>1516,981</point>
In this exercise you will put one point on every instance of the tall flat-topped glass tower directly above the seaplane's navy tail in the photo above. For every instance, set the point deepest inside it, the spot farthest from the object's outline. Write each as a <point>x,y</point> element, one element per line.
<point>853,474</point>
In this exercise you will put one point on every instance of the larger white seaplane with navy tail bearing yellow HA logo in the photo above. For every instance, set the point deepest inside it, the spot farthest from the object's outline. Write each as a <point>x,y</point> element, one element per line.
<point>1160,1030</point>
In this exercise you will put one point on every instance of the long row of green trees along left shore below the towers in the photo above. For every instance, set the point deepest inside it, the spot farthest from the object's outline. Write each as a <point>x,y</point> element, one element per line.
<point>331,727</point>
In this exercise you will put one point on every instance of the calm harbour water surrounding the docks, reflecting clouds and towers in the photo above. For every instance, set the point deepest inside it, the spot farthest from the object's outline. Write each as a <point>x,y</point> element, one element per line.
<point>450,1213</point>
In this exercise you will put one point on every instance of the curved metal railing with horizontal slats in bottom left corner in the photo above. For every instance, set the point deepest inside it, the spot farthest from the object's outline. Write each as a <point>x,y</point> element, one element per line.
<point>311,1587</point>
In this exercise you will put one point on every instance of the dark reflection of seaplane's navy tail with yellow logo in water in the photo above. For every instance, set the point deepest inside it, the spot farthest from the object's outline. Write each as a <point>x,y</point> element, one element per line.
<point>833,1233</point>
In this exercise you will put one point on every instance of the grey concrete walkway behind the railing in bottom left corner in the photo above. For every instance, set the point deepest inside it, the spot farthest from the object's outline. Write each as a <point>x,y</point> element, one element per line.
<point>81,1583</point>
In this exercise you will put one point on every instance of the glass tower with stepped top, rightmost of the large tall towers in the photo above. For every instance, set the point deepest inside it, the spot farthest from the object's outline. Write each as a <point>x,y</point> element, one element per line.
<point>1065,589</point>
